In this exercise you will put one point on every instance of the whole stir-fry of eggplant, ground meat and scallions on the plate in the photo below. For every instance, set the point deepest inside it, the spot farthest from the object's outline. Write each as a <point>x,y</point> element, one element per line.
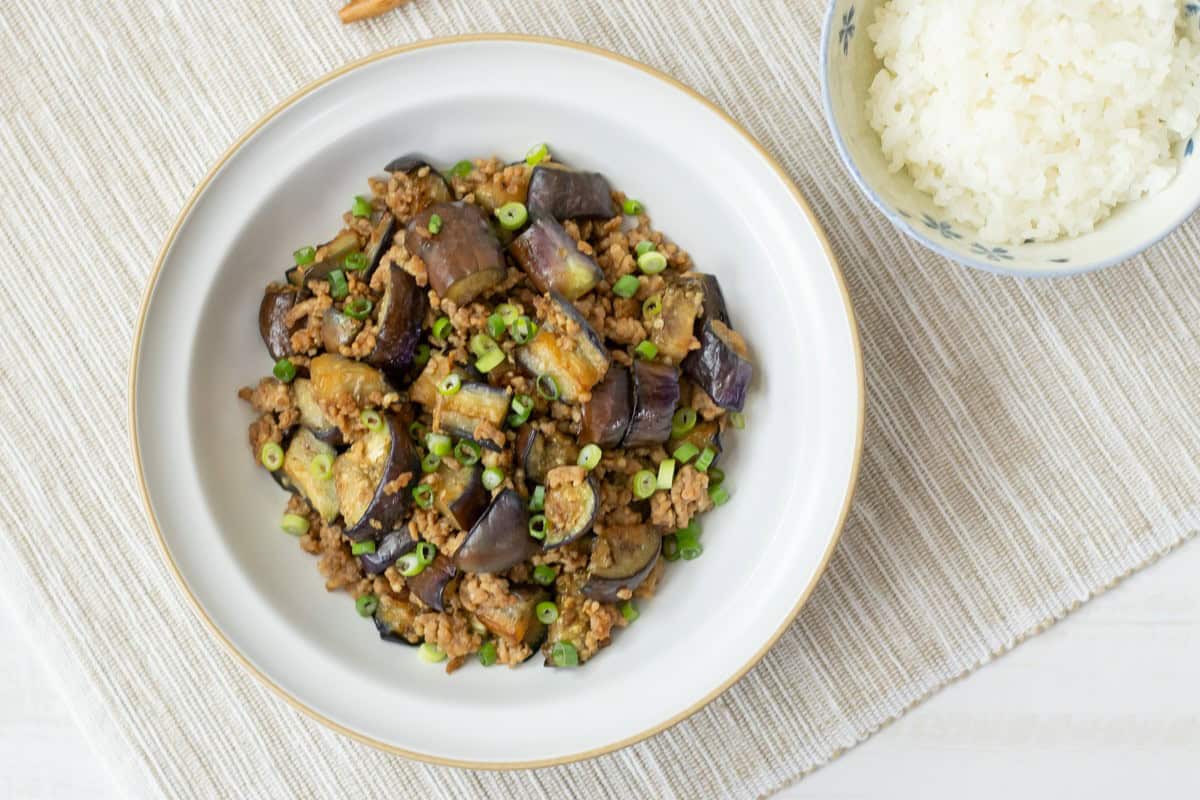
<point>499,405</point>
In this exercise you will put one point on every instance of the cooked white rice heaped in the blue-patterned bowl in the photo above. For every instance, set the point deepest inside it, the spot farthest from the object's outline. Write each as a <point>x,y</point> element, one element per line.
<point>1034,119</point>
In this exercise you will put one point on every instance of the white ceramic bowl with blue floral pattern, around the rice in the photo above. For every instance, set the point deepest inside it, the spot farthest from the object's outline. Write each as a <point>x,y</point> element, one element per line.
<point>847,75</point>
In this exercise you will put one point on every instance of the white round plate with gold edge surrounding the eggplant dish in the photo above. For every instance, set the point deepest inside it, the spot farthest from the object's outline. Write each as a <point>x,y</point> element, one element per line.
<point>707,185</point>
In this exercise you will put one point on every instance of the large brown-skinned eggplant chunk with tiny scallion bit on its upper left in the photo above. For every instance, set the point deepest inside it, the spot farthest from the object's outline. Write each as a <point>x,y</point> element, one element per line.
<point>464,260</point>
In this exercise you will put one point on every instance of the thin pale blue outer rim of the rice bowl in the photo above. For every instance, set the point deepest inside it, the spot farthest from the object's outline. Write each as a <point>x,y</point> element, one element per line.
<point>933,245</point>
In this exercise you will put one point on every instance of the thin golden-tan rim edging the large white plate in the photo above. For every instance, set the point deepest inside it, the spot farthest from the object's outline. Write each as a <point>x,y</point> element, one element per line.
<point>314,714</point>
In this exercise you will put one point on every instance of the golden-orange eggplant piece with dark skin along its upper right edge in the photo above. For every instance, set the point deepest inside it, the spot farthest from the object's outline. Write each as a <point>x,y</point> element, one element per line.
<point>575,370</point>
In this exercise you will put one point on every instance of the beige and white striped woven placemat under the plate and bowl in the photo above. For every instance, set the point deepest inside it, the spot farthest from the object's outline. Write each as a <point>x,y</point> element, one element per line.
<point>1028,444</point>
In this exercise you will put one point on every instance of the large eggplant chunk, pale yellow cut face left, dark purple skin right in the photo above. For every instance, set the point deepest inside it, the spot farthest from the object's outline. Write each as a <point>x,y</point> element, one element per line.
<point>364,474</point>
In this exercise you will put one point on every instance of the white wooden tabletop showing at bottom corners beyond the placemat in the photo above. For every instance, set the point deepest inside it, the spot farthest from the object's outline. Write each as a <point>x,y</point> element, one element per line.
<point>1106,705</point>
